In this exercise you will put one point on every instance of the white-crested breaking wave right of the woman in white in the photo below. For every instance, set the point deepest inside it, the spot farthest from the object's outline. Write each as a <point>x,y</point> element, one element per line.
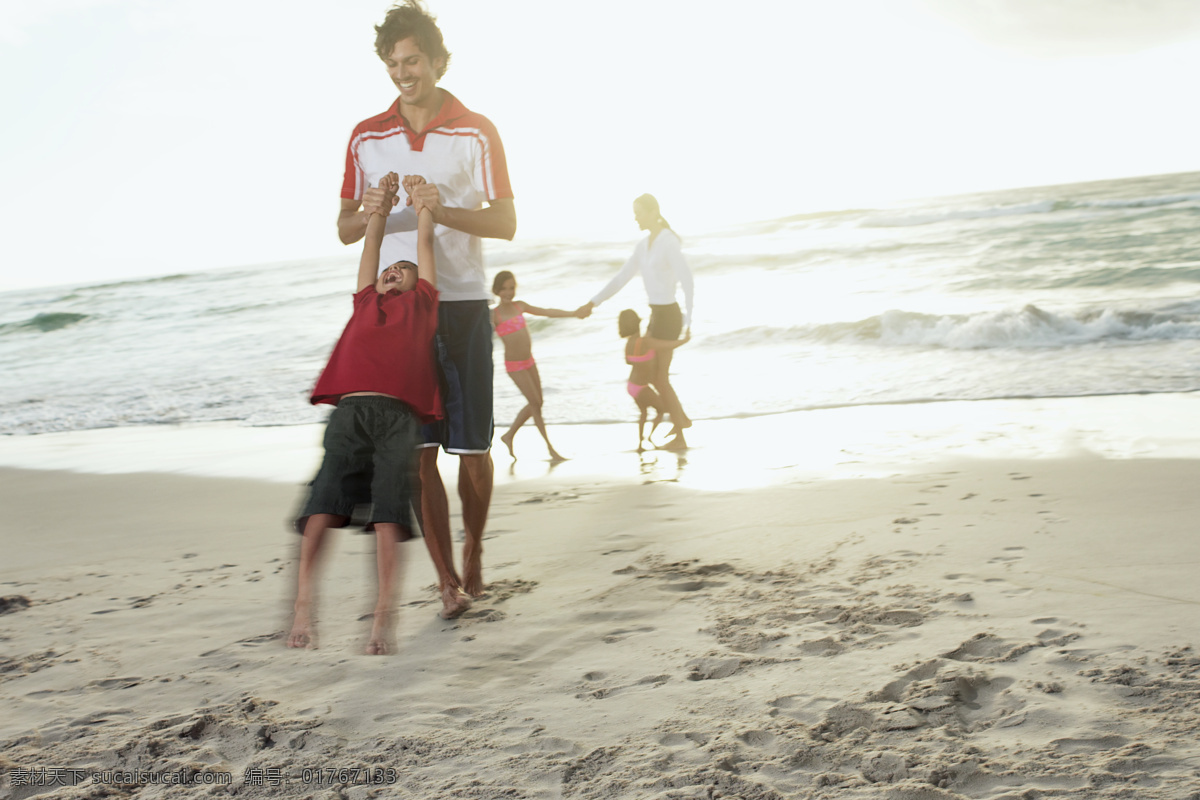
<point>1031,328</point>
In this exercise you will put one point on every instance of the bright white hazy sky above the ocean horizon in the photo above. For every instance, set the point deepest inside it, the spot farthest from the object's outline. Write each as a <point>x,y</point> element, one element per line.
<point>151,137</point>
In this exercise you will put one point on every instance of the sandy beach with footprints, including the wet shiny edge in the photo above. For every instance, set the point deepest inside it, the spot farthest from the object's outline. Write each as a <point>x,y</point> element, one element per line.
<point>974,600</point>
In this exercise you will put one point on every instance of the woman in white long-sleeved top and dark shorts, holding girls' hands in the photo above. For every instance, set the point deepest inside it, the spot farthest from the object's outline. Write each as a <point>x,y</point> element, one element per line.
<point>659,260</point>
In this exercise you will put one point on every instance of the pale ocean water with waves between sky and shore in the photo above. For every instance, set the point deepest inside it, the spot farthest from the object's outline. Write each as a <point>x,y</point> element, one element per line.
<point>1063,291</point>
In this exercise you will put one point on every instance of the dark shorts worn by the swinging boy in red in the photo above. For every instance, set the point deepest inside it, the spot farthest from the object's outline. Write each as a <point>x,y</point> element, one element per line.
<point>370,466</point>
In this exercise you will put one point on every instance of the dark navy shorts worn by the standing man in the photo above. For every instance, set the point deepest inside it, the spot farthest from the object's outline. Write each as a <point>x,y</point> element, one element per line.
<point>464,347</point>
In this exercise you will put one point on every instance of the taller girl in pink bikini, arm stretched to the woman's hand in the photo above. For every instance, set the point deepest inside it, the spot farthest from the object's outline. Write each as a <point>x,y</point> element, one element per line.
<point>511,327</point>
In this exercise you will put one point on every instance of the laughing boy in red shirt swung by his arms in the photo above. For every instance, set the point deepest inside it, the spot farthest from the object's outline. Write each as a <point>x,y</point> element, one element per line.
<point>383,384</point>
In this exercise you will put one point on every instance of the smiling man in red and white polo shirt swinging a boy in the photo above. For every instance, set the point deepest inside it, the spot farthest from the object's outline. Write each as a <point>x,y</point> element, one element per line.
<point>429,133</point>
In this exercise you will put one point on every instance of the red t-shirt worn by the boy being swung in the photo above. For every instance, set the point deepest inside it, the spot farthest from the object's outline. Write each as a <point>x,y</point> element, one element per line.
<point>388,347</point>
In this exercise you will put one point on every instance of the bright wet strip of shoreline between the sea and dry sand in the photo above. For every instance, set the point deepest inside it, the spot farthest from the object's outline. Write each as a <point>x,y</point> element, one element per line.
<point>845,442</point>
